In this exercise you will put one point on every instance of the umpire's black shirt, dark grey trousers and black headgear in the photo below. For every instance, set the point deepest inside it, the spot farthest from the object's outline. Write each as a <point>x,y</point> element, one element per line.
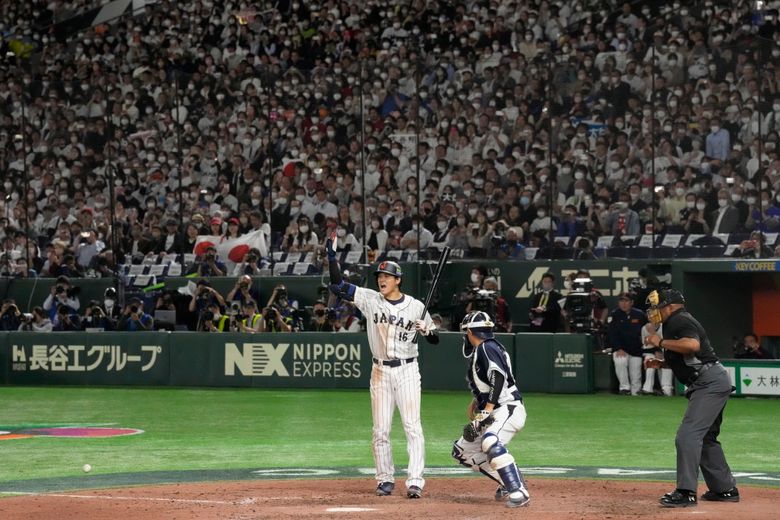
<point>708,391</point>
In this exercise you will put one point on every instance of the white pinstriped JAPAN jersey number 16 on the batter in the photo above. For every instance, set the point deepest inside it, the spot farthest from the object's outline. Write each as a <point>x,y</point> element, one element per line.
<point>390,324</point>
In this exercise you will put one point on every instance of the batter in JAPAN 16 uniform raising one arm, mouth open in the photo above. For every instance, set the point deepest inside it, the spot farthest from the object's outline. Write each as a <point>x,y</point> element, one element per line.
<point>392,319</point>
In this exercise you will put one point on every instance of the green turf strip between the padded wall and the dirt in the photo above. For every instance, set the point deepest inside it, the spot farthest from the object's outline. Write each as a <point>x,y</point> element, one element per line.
<point>250,428</point>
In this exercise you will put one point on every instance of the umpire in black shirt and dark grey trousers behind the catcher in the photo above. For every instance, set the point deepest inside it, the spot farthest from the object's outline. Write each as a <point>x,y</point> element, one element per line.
<point>687,351</point>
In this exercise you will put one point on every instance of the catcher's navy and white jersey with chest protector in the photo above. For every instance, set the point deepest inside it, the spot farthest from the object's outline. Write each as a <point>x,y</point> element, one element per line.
<point>490,355</point>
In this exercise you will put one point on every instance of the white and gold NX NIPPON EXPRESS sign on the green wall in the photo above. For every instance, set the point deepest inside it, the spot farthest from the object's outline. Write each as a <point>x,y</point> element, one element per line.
<point>299,360</point>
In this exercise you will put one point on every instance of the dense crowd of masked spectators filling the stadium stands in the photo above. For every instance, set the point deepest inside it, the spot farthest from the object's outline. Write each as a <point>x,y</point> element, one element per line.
<point>402,125</point>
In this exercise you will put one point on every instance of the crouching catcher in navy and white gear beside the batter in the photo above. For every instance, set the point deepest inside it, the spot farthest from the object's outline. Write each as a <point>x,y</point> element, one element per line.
<point>496,413</point>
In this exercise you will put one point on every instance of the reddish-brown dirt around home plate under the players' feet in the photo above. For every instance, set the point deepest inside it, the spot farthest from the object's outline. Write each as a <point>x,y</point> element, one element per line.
<point>354,499</point>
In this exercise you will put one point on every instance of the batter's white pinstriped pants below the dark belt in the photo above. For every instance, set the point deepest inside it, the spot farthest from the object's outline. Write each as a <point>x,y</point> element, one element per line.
<point>393,387</point>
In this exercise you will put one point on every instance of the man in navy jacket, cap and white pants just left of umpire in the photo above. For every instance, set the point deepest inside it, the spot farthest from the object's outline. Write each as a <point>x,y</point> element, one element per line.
<point>624,332</point>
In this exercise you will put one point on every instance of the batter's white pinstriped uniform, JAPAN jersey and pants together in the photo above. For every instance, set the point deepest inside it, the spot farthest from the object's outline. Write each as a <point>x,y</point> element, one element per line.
<point>391,329</point>
